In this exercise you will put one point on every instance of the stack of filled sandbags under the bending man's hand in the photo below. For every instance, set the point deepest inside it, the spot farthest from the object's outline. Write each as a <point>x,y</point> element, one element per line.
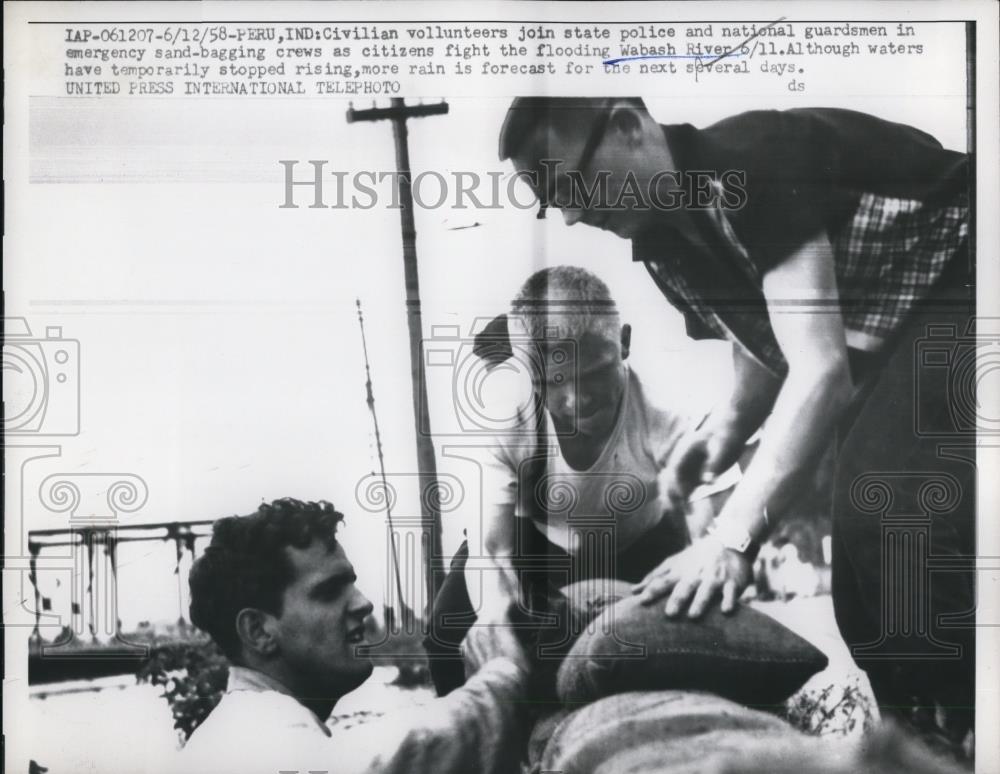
<point>644,693</point>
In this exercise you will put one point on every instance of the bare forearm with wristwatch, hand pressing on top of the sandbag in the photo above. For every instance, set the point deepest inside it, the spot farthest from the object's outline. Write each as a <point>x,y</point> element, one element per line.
<point>812,399</point>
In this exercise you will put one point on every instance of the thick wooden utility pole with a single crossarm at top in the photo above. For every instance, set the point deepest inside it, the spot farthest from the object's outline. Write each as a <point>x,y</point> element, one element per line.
<point>398,112</point>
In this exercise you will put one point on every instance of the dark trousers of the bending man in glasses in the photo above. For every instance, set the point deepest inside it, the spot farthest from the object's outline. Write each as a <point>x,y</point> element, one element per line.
<point>904,514</point>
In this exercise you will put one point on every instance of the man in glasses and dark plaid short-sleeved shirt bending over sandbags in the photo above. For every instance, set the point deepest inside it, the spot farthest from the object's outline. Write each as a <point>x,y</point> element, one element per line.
<point>824,244</point>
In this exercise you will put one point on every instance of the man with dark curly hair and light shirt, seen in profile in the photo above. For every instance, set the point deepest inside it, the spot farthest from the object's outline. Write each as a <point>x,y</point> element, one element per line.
<point>277,593</point>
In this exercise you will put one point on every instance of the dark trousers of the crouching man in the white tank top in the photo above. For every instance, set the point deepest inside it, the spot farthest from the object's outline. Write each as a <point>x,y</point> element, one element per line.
<point>542,569</point>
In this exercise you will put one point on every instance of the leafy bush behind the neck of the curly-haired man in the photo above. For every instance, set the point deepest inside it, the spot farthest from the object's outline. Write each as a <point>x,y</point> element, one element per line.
<point>193,675</point>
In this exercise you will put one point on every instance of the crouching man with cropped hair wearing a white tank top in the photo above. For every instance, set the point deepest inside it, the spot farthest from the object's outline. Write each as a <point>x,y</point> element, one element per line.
<point>577,482</point>
